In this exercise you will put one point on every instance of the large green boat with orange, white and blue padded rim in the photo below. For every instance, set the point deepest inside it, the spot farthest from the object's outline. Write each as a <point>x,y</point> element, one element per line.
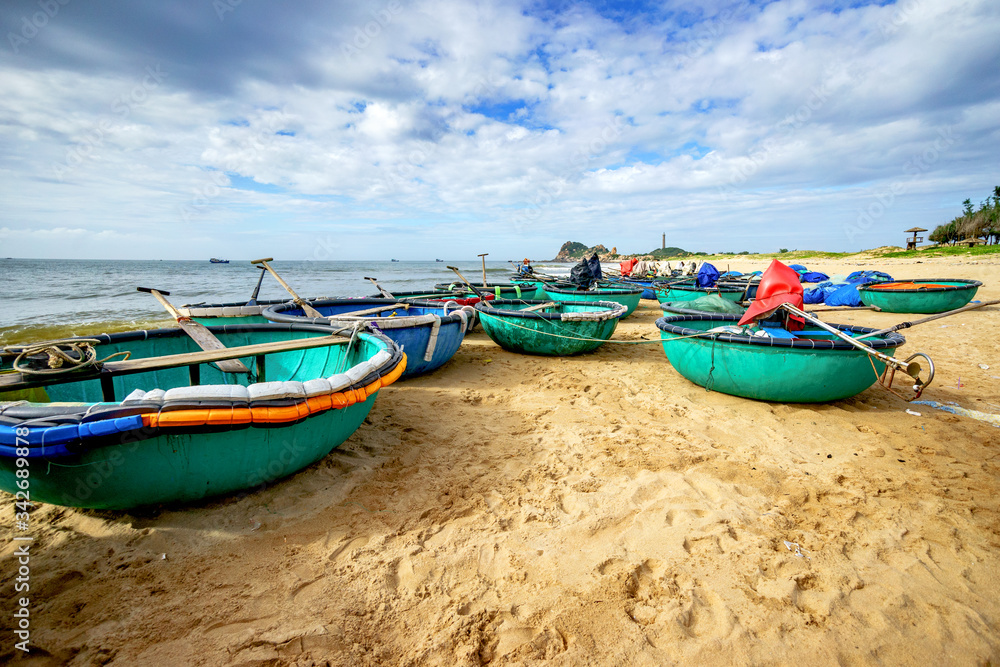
<point>153,429</point>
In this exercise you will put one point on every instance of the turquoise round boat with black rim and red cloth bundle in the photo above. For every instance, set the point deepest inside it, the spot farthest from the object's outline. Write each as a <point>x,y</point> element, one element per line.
<point>812,367</point>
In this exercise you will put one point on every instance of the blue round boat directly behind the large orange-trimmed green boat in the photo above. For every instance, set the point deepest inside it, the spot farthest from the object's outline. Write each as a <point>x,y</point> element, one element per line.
<point>428,332</point>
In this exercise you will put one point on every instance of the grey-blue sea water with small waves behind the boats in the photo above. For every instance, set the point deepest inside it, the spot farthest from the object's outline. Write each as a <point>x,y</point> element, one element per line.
<point>42,299</point>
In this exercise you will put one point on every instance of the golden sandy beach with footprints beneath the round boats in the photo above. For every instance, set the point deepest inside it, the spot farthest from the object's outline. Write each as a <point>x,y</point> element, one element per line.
<point>599,509</point>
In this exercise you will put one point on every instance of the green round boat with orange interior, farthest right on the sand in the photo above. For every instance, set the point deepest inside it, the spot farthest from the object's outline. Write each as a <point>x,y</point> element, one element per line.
<point>925,295</point>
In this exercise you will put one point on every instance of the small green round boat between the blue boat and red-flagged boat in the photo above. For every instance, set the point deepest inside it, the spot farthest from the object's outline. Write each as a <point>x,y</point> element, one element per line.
<point>563,329</point>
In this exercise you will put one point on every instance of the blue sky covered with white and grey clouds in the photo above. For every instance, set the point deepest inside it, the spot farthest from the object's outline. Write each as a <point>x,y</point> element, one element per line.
<point>418,129</point>
